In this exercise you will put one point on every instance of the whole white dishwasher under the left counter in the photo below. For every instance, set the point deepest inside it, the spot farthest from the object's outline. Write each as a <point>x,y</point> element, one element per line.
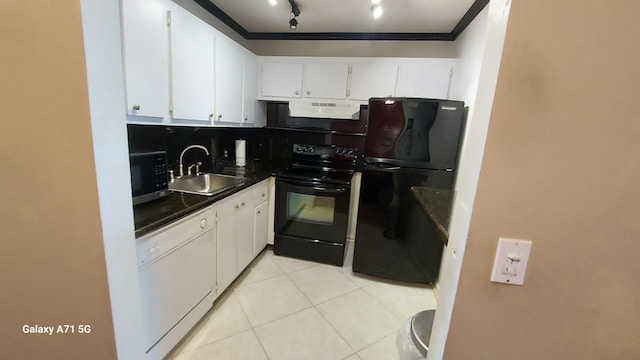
<point>177,276</point>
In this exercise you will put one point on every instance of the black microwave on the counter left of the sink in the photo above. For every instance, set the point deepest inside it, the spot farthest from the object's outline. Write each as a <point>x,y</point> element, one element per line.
<point>148,176</point>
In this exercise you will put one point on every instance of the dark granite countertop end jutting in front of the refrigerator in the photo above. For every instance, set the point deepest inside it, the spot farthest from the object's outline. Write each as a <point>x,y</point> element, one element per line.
<point>436,204</point>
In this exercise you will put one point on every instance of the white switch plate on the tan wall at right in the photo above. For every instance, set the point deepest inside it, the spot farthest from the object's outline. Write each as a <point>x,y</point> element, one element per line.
<point>511,260</point>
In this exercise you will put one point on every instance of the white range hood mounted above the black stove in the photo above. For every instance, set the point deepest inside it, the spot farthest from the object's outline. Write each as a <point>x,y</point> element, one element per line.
<point>324,109</point>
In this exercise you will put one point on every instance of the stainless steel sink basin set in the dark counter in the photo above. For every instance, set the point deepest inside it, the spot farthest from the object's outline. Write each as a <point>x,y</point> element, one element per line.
<point>205,183</point>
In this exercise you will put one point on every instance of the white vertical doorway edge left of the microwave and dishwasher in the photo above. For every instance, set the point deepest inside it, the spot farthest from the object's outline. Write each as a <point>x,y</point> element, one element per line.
<point>103,54</point>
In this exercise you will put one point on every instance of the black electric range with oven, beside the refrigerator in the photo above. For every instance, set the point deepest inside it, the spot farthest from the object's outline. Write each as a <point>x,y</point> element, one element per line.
<point>312,203</point>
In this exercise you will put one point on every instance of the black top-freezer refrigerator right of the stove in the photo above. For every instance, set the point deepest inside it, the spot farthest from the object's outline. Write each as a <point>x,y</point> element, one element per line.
<point>409,142</point>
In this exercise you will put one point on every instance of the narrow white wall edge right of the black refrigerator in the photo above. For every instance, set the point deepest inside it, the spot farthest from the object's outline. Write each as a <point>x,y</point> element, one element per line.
<point>480,51</point>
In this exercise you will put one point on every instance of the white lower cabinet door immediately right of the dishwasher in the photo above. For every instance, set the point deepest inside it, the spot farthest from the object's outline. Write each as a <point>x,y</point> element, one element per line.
<point>227,232</point>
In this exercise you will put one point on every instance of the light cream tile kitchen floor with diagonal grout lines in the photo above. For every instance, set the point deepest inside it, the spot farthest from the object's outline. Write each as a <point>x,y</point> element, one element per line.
<point>283,308</point>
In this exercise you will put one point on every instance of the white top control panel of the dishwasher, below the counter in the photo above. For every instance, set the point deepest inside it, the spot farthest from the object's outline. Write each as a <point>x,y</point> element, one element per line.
<point>154,245</point>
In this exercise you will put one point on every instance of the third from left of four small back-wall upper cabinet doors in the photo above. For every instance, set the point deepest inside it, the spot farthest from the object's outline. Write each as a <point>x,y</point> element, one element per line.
<point>372,80</point>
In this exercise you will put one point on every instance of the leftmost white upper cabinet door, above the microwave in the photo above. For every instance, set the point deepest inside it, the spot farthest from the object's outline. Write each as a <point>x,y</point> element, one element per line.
<point>146,57</point>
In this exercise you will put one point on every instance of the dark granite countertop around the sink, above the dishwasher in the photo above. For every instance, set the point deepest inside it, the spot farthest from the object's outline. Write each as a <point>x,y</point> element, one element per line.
<point>156,214</point>
